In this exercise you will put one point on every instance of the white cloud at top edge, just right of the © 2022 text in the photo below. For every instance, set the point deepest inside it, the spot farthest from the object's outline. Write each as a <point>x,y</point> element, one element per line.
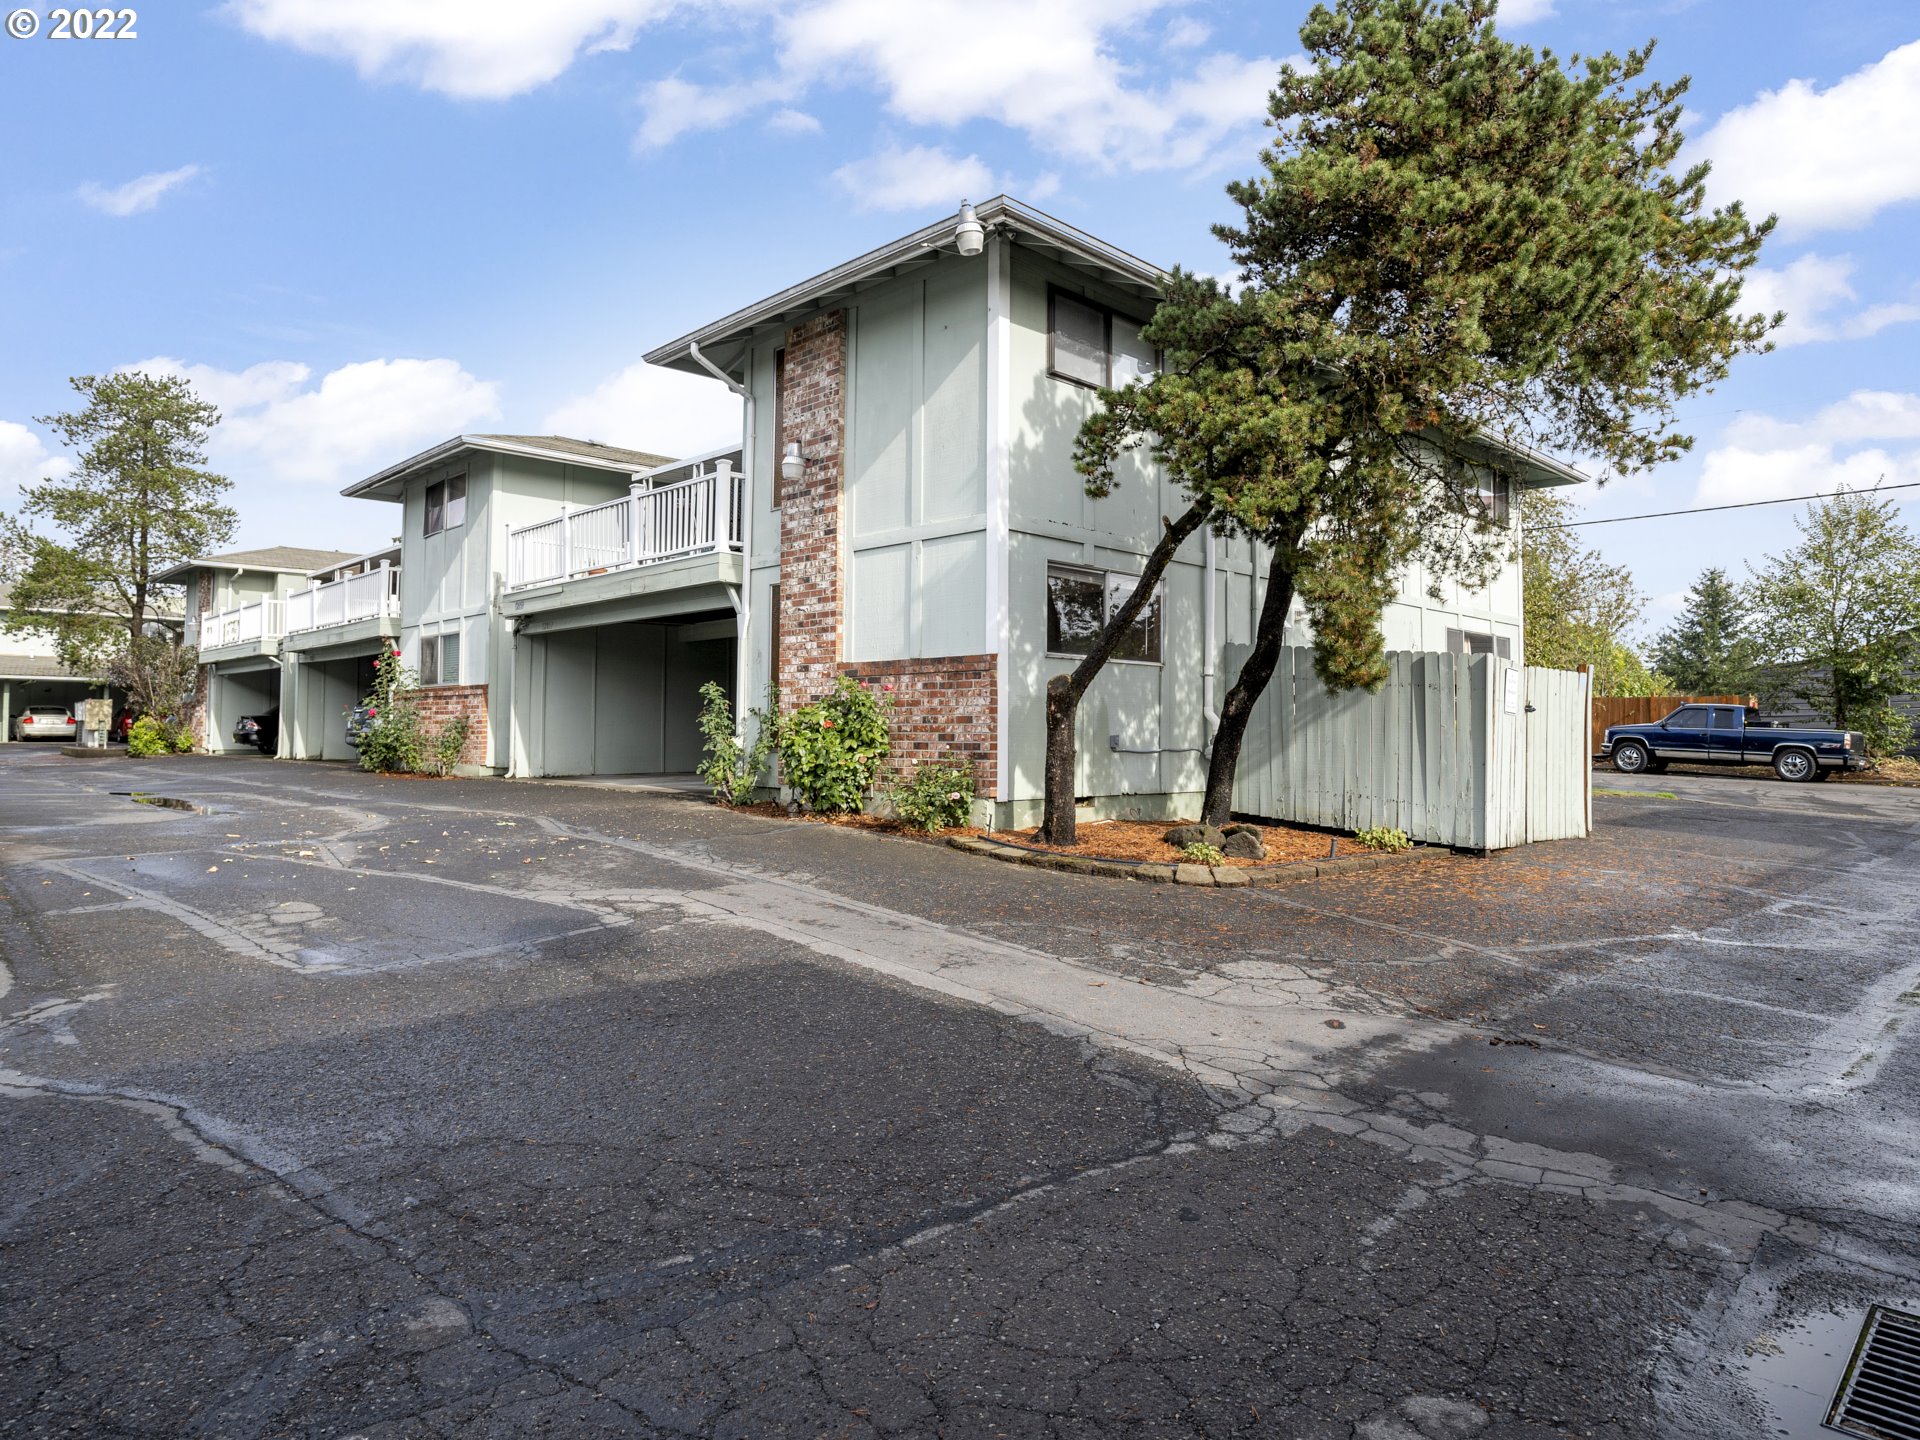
<point>471,49</point>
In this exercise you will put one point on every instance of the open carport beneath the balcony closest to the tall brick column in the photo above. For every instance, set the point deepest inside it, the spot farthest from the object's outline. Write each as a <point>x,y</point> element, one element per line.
<point>619,698</point>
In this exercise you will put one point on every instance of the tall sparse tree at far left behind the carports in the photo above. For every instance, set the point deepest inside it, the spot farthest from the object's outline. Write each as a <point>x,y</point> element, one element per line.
<point>137,504</point>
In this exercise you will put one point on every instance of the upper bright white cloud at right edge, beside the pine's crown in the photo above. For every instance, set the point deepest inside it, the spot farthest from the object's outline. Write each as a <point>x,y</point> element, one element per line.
<point>1825,158</point>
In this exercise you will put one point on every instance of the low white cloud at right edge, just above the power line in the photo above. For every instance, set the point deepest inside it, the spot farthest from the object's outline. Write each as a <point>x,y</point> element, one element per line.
<point>1765,458</point>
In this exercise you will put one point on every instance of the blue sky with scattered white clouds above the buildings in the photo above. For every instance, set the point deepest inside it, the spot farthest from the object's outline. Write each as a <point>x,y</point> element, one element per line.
<point>366,226</point>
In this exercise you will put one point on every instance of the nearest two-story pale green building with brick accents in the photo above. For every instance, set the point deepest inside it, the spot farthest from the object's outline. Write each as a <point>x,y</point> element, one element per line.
<point>915,516</point>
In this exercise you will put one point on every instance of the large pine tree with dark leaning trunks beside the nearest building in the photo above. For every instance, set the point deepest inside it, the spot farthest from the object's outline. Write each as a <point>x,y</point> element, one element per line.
<point>1452,239</point>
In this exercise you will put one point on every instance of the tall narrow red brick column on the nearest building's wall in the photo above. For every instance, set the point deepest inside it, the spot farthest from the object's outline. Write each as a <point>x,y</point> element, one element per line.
<point>811,587</point>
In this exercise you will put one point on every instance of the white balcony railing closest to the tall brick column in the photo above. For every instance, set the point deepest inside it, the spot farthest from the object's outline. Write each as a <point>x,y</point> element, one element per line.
<point>644,527</point>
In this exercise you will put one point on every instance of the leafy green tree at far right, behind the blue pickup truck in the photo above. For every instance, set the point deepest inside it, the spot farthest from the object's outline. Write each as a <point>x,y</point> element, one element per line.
<point>1842,613</point>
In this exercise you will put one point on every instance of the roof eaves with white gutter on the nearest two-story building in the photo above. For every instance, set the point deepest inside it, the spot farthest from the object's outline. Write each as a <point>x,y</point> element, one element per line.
<point>1001,216</point>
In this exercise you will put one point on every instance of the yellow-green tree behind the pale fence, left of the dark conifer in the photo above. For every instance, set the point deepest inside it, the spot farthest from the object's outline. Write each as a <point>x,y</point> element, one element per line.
<point>1577,608</point>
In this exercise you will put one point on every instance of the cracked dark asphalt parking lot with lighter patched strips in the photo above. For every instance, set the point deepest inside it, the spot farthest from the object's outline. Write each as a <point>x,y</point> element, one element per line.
<point>335,1105</point>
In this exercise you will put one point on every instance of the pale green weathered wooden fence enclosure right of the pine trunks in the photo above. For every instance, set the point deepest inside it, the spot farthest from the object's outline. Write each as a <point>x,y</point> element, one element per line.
<point>1454,750</point>
